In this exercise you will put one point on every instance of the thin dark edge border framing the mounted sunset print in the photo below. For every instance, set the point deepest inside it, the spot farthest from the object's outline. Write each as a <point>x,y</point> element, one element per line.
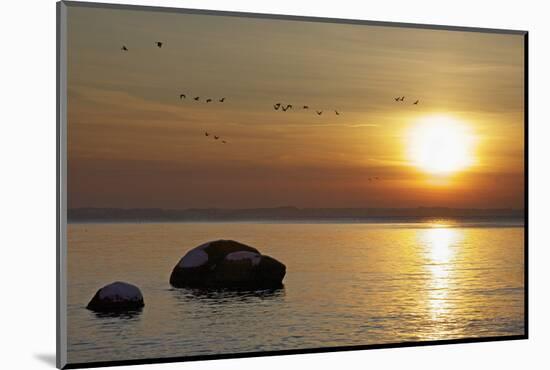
<point>61,184</point>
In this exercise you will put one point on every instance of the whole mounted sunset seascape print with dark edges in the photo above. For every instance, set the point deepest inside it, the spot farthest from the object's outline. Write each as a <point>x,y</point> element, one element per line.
<point>235,184</point>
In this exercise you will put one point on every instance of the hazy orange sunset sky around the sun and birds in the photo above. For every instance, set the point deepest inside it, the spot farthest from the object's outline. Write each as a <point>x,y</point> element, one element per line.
<point>133,143</point>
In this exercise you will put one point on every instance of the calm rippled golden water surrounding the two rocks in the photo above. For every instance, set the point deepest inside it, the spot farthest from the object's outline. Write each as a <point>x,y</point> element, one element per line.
<point>346,284</point>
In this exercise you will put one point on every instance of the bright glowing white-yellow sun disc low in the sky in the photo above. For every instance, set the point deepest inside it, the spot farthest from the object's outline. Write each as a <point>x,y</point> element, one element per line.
<point>440,145</point>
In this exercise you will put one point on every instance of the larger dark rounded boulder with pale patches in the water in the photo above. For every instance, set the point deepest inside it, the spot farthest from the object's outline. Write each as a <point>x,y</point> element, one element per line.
<point>227,264</point>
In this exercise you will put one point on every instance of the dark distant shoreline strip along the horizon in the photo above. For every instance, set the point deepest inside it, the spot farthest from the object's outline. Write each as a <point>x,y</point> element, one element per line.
<point>299,215</point>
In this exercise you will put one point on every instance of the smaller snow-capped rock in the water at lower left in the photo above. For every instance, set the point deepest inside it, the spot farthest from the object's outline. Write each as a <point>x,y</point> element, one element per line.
<point>117,296</point>
